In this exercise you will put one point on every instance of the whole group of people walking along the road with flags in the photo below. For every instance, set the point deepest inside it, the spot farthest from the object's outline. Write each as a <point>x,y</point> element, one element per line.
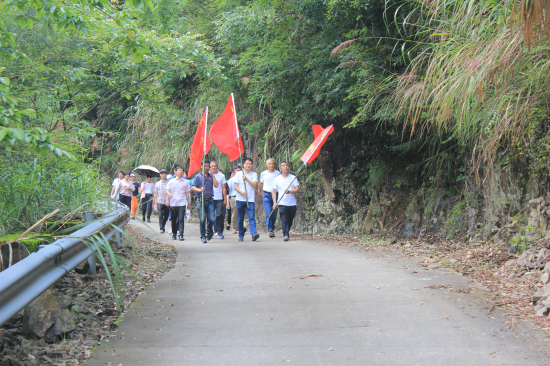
<point>215,197</point>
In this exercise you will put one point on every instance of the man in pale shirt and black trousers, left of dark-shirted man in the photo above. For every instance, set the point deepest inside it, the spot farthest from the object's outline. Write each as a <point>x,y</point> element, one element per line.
<point>177,191</point>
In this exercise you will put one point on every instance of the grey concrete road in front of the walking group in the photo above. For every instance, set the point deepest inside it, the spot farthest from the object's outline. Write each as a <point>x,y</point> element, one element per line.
<point>252,303</point>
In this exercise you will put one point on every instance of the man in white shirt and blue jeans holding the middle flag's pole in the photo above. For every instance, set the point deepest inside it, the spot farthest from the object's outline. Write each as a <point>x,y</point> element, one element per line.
<point>246,183</point>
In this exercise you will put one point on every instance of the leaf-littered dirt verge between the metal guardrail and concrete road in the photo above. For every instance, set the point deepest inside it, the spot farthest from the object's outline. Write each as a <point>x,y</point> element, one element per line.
<point>93,305</point>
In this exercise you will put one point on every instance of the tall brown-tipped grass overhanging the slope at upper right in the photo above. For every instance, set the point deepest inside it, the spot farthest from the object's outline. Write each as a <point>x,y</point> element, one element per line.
<point>473,79</point>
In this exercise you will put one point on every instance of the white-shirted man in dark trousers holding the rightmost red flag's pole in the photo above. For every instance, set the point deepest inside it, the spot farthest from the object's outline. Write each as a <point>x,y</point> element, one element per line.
<point>288,185</point>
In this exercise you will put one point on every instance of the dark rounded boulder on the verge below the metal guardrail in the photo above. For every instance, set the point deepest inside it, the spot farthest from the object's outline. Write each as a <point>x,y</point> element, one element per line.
<point>48,316</point>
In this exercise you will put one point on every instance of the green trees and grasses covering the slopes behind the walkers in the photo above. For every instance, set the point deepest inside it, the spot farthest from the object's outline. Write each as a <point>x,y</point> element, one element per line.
<point>440,92</point>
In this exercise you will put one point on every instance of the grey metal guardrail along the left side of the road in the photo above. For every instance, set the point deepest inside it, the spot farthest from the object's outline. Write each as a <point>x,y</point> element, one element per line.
<point>23,282</point>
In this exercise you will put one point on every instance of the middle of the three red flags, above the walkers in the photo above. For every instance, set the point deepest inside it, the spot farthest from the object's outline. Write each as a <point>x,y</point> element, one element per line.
<point>225,132</point>
